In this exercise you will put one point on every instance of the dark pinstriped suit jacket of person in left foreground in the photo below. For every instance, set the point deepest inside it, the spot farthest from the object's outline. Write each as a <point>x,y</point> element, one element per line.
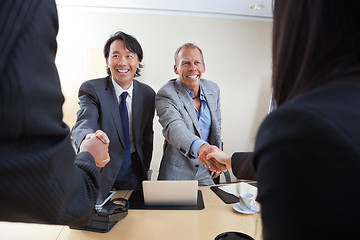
<point>38,179</point>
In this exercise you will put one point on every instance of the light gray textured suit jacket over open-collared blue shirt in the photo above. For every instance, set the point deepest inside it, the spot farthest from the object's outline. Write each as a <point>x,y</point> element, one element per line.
<point>178,118</point>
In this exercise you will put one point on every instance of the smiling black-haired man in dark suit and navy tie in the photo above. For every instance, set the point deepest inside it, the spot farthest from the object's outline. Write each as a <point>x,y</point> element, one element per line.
<point>131,131</point>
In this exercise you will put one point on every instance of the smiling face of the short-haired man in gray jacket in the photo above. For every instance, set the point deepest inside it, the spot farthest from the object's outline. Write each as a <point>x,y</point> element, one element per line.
<point>189,66</point>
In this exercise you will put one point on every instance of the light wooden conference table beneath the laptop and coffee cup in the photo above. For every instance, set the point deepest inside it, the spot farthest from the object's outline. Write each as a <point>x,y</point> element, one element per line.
<point>217,217</point>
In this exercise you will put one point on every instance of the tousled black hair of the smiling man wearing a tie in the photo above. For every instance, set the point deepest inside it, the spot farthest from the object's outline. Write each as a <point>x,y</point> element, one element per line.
<point>130,43</point>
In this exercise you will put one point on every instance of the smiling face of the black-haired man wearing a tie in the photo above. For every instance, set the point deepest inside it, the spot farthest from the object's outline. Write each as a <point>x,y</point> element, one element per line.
<point>122,64</point>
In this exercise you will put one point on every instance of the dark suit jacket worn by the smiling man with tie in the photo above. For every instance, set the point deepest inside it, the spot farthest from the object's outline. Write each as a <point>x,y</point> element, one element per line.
<point>99,109</point>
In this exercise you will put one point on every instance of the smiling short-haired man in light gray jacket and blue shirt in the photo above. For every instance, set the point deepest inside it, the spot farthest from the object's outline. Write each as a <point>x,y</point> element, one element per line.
<point>189,112</point>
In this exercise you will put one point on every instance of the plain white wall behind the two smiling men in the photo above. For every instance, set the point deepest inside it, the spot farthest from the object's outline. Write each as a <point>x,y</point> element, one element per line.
<point>237,57</point>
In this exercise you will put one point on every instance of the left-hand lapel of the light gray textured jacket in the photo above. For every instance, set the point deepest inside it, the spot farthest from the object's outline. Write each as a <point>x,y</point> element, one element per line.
<point>188,104</point>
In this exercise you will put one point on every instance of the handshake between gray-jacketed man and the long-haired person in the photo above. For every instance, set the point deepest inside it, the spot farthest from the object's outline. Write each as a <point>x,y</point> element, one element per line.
<point>214,159</point>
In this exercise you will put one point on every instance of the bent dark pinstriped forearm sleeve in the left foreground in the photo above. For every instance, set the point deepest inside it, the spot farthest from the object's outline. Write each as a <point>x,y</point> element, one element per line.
<point>56,191</point>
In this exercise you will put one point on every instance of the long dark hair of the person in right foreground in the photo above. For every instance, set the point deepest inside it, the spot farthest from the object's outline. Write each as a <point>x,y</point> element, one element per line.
<point>314,42</point>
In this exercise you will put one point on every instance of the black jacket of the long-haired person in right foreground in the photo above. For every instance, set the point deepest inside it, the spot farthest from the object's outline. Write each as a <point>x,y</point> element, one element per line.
<point>307,158</point>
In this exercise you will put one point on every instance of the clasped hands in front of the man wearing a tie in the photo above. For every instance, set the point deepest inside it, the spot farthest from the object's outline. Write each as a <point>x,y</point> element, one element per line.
<point>97,144</point>
